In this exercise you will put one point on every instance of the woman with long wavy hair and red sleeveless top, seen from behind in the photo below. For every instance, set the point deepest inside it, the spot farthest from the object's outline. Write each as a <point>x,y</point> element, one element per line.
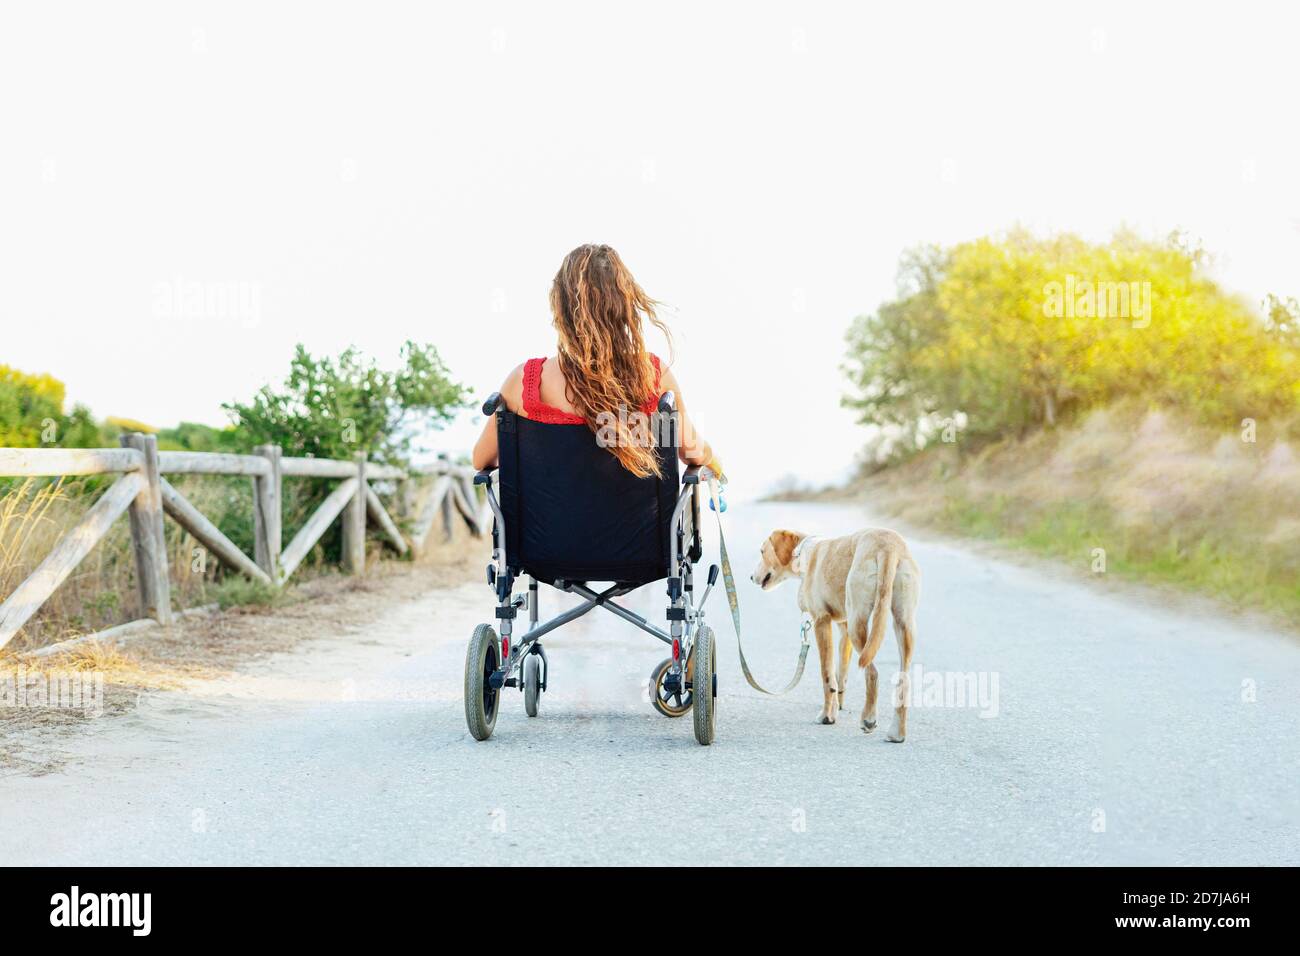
<point>601,374</point>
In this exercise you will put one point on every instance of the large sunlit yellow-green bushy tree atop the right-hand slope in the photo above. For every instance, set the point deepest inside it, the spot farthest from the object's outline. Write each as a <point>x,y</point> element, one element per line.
<point>1019,332</point>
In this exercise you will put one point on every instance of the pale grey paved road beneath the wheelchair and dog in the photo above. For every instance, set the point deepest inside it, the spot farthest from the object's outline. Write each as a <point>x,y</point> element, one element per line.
<point>1121,733</point>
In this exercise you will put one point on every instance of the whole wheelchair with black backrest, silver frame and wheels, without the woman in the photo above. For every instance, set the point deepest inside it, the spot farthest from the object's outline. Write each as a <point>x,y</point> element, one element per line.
<point>567,514</point>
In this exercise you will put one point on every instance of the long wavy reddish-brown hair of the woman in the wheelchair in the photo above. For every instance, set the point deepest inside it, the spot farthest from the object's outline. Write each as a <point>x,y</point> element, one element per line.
<point>600,313</point>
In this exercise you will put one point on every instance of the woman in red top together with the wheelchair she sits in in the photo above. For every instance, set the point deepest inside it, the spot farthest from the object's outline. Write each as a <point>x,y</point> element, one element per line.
<point>586,448</point>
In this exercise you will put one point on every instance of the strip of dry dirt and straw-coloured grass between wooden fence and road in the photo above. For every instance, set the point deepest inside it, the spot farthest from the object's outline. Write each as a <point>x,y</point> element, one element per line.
<point>45,699</point>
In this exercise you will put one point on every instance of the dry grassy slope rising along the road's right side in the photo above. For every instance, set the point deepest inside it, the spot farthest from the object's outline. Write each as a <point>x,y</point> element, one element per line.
<point>1167,501</point>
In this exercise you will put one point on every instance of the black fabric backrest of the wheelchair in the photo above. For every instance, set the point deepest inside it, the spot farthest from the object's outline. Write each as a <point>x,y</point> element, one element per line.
<point>574,513</point>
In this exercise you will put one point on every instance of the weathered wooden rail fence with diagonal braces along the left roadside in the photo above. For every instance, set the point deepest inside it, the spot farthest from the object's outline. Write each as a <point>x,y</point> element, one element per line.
<point>148,496</point>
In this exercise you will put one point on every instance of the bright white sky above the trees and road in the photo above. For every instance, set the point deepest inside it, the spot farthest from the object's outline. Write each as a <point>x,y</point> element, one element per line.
<point>189,191</point>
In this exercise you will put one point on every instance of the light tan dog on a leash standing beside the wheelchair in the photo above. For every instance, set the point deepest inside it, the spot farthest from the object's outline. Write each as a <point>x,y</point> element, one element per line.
<point>853,582</point>
